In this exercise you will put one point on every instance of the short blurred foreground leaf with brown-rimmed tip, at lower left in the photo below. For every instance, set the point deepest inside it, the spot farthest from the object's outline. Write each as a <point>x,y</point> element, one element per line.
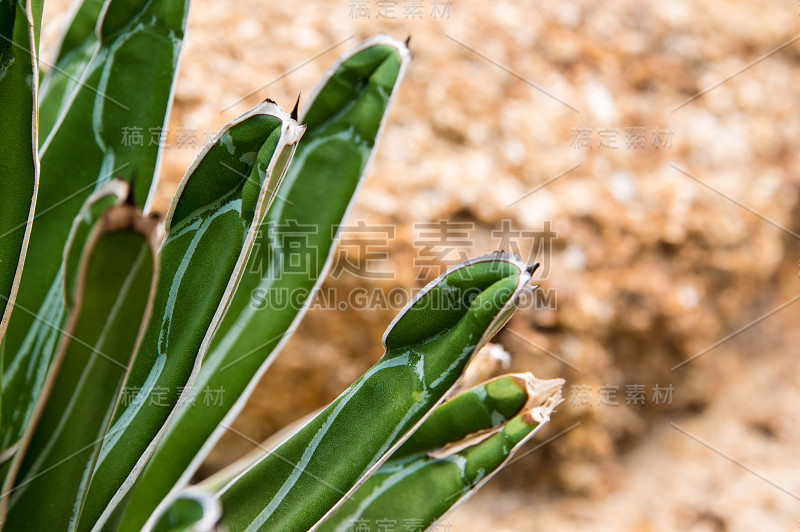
<point>113,293</point>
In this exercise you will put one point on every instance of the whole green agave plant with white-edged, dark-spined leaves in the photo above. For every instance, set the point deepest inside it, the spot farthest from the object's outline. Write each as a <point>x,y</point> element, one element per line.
<point>113,319</point>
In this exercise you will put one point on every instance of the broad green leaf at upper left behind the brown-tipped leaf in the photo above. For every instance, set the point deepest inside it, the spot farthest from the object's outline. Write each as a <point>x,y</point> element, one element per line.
<point>126,81</point>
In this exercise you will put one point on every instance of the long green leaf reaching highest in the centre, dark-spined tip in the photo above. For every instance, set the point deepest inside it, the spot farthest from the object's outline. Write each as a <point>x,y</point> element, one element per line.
<point>292,255</point>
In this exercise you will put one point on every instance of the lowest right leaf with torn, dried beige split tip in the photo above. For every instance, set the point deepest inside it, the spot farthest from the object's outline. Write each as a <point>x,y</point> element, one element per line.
<point>457,449</point>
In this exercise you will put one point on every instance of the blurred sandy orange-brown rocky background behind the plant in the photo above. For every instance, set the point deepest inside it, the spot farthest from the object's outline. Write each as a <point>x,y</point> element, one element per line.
<point>644,153</point>
